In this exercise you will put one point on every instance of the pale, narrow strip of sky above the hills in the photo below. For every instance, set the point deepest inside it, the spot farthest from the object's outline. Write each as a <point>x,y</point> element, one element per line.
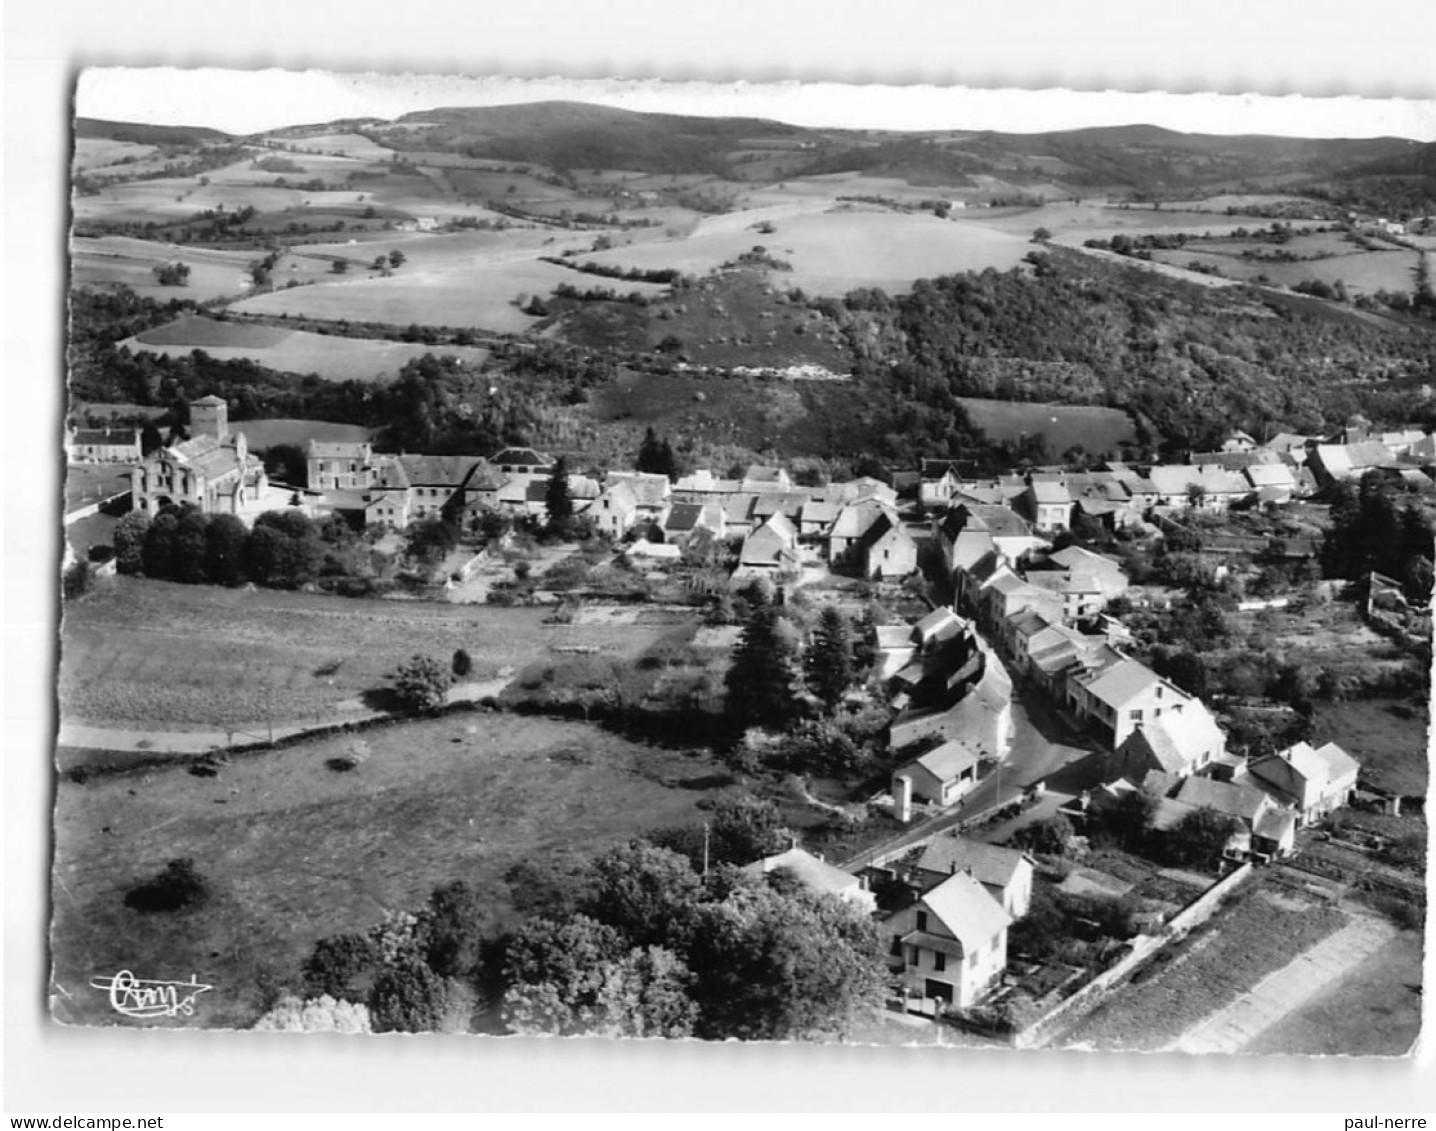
<point>255,101</point>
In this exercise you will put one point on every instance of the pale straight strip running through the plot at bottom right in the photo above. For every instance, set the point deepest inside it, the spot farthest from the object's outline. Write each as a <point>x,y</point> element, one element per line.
<point>1280,994</point>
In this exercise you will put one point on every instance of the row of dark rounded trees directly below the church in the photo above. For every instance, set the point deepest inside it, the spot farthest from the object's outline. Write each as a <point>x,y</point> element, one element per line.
<point>284,550</point>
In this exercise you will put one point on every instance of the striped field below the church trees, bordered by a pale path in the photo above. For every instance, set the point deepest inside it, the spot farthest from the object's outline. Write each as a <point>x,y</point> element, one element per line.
<point>151,654</point>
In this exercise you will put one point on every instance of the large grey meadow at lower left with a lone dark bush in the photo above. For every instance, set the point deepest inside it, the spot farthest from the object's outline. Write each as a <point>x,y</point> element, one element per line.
<point>297,852</point>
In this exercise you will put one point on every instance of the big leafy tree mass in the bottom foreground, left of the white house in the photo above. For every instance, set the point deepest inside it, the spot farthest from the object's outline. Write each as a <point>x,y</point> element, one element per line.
<point>638,945</point>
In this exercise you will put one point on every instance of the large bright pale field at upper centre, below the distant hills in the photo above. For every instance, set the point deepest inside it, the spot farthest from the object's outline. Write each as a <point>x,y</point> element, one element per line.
<point>834,252</point>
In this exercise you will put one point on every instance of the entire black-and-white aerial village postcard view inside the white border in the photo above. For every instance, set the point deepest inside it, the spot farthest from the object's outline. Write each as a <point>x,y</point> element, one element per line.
<point>933,572</point>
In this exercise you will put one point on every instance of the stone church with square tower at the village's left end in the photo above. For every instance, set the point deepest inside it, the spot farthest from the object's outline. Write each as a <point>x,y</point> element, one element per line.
<point>213,471</point>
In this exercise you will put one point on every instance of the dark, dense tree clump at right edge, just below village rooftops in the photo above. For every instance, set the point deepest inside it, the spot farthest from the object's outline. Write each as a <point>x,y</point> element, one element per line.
<point>1376,526</point>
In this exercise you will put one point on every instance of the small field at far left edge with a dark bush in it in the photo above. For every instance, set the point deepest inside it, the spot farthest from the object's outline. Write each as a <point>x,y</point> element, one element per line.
<point>118,261</point>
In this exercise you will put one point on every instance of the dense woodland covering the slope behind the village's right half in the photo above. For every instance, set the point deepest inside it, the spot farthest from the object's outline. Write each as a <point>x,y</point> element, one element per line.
<point>1184,361</point>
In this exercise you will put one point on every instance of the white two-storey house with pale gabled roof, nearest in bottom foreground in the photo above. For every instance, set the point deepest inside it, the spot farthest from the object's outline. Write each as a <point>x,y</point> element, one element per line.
<point>951,944</point>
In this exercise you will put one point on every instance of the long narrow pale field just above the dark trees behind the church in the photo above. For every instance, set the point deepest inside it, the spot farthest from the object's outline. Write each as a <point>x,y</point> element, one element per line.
<point>292,351</point>
